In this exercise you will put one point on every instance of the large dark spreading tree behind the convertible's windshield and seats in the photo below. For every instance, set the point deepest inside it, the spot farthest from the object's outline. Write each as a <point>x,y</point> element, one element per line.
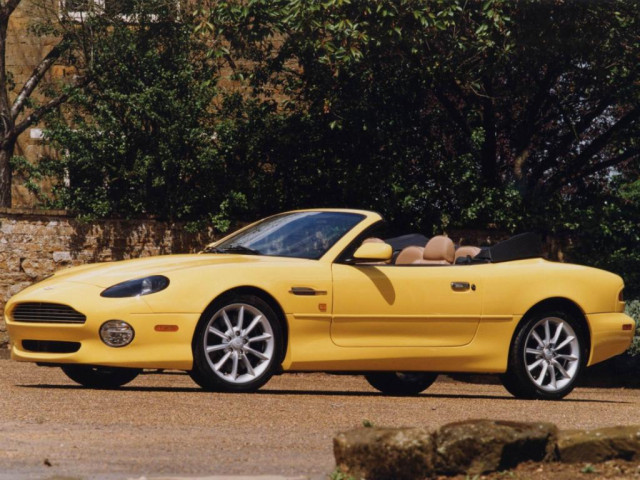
<point>448,111</point>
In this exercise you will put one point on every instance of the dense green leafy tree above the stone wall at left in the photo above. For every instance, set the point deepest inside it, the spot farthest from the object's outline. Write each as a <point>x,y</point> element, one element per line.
<point>141,138</point>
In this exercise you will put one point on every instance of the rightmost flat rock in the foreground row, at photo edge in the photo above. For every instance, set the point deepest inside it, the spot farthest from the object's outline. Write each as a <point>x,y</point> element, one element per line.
<point>599,445</point>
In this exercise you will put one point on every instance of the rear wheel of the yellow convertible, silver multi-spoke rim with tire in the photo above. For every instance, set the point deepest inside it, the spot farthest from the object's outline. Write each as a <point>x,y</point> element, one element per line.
<point>547,356</point>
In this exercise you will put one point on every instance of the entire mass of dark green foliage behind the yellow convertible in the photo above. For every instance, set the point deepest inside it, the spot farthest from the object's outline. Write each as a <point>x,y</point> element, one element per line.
<point>442,114</point>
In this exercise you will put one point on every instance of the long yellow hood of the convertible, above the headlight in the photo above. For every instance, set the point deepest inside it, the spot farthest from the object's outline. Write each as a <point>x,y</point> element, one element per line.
<point>108,274</point>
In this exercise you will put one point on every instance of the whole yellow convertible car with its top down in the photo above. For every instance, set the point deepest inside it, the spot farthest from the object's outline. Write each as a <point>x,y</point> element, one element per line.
<point>315,290</point>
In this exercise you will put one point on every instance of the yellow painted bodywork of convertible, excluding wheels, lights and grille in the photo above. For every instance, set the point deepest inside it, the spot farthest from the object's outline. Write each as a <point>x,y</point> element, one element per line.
<point>375,317</point>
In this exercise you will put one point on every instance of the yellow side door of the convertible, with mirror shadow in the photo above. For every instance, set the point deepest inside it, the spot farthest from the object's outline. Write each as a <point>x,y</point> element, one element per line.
<point>405,305</point>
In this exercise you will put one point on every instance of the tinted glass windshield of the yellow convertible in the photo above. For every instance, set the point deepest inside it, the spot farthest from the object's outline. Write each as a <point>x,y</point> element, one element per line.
<point>299,234</point>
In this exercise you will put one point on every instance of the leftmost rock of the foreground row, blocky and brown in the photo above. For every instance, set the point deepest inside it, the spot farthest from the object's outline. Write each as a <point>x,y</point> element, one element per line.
<point>385,453</point>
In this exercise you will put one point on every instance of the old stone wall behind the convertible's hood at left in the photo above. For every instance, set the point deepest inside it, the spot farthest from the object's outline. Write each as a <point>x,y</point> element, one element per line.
<point>35,243</point>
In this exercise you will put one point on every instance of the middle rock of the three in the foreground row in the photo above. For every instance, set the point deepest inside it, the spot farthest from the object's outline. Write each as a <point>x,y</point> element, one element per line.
<point>480,446</point>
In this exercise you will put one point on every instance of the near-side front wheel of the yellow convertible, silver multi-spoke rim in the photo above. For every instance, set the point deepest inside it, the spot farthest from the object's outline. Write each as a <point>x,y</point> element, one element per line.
<point>237,345</point>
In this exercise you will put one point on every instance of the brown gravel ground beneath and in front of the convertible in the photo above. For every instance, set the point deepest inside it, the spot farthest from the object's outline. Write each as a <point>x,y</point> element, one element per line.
<point>162,424</point>
